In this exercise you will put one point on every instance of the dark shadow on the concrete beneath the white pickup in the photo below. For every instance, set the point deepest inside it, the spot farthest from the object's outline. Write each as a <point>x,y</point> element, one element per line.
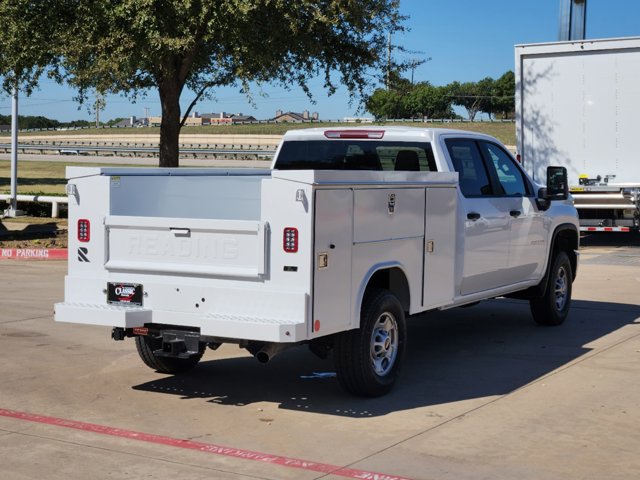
<point>491,349</point>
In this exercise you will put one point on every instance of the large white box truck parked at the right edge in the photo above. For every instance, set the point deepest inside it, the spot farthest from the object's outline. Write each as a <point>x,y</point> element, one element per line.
<point>578,105</point>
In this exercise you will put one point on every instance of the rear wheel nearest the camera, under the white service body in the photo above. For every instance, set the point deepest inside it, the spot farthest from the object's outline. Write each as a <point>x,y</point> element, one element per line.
<point>368,359</point>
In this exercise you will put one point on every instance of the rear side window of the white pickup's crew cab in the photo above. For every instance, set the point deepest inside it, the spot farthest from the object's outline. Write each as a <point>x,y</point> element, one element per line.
<point>468,162</point>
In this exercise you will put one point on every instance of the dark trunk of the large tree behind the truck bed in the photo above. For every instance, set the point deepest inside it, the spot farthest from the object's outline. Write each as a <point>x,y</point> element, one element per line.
<point>170,125</point>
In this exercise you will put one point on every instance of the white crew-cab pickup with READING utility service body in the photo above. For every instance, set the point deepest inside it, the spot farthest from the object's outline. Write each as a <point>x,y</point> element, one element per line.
<point>350,231</point>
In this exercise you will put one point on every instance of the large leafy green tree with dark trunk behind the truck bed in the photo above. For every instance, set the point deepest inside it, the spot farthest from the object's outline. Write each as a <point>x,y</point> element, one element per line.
<point>132,46</point>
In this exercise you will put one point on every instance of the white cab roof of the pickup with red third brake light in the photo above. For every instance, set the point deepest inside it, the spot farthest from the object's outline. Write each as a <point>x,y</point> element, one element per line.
<point>377,133</point>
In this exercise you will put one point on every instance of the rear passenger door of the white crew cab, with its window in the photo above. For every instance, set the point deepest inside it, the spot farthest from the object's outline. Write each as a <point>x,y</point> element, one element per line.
<point>486,220</point>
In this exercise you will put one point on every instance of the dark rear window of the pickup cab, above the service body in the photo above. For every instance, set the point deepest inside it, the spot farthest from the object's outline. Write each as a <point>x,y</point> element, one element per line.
<point>356,155</point>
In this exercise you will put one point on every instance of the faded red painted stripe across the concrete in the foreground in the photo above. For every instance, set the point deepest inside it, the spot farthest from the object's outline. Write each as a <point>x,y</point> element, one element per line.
<point>202,447</point>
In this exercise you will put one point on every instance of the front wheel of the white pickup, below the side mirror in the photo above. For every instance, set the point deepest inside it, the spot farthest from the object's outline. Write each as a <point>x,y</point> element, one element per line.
<point>553,307</point>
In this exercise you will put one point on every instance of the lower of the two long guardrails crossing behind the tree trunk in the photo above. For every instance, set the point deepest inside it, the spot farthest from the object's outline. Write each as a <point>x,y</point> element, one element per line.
<point>74,149</point>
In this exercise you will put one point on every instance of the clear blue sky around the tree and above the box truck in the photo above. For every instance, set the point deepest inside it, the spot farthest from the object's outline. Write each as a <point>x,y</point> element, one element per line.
<point>467,40</point>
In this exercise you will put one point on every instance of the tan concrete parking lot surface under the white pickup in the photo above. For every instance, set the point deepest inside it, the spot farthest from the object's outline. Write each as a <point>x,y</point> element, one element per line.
<point>485,393</point>
